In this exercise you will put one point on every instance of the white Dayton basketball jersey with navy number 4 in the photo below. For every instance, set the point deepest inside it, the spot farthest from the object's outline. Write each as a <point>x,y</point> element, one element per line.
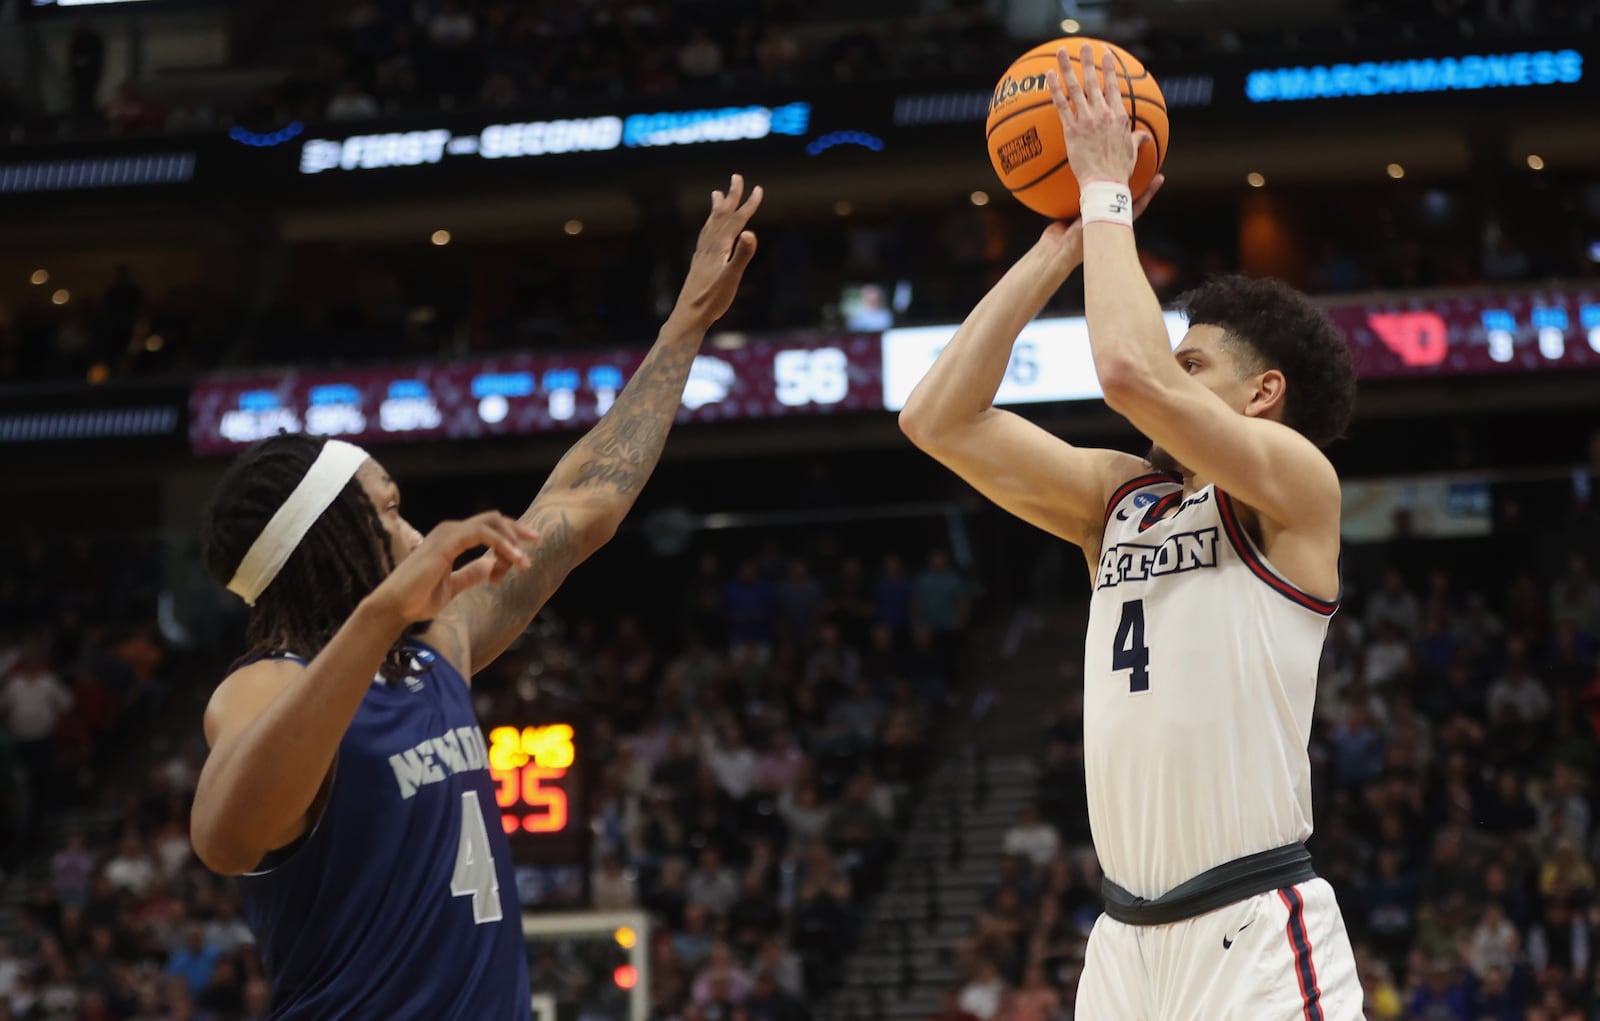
<point>1199,681</point>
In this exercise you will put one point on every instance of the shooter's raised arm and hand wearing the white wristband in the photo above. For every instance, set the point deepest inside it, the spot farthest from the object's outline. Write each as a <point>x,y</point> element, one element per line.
<point>1278,473</point>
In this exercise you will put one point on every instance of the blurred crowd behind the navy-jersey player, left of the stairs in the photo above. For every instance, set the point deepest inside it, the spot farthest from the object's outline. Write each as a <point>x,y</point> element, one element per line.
<point>751,763</point>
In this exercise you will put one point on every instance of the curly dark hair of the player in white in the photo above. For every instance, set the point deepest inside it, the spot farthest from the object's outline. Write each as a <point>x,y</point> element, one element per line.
<point>1276,327</point>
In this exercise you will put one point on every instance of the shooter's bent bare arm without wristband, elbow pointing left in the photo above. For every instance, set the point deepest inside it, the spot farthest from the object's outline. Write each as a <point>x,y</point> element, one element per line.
<point>951,415</point>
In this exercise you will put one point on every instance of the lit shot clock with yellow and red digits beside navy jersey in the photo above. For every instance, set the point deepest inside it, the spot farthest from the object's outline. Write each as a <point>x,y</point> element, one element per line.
<point>542,793</point>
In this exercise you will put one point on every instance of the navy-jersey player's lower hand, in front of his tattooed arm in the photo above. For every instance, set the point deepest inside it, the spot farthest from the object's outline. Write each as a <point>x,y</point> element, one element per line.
<point>425,583</point>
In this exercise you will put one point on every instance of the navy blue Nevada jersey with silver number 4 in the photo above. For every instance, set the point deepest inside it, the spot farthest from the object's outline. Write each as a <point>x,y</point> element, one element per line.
<point>401,902</point>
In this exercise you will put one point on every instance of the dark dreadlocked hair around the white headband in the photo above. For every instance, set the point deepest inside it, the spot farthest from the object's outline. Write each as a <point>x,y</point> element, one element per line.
<point>340,563</point>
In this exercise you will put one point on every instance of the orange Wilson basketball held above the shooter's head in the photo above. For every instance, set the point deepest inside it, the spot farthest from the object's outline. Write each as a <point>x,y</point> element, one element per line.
<point>1025,134</point>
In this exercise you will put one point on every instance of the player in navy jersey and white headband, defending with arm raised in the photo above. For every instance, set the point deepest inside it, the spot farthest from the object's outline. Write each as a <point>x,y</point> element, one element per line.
<point>348,782</point>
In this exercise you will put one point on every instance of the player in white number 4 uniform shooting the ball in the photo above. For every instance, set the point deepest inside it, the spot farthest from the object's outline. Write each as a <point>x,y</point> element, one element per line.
<point>1215,571</point>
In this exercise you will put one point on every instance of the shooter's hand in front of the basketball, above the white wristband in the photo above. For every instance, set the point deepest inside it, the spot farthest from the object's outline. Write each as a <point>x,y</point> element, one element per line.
<point>1094,118</point>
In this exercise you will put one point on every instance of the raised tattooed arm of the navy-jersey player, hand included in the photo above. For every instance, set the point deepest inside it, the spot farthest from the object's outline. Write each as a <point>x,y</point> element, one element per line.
<point>598,481</point>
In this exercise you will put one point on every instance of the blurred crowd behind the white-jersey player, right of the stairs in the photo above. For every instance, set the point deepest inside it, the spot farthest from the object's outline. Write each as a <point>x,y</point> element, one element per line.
<point>1455,750</point>
